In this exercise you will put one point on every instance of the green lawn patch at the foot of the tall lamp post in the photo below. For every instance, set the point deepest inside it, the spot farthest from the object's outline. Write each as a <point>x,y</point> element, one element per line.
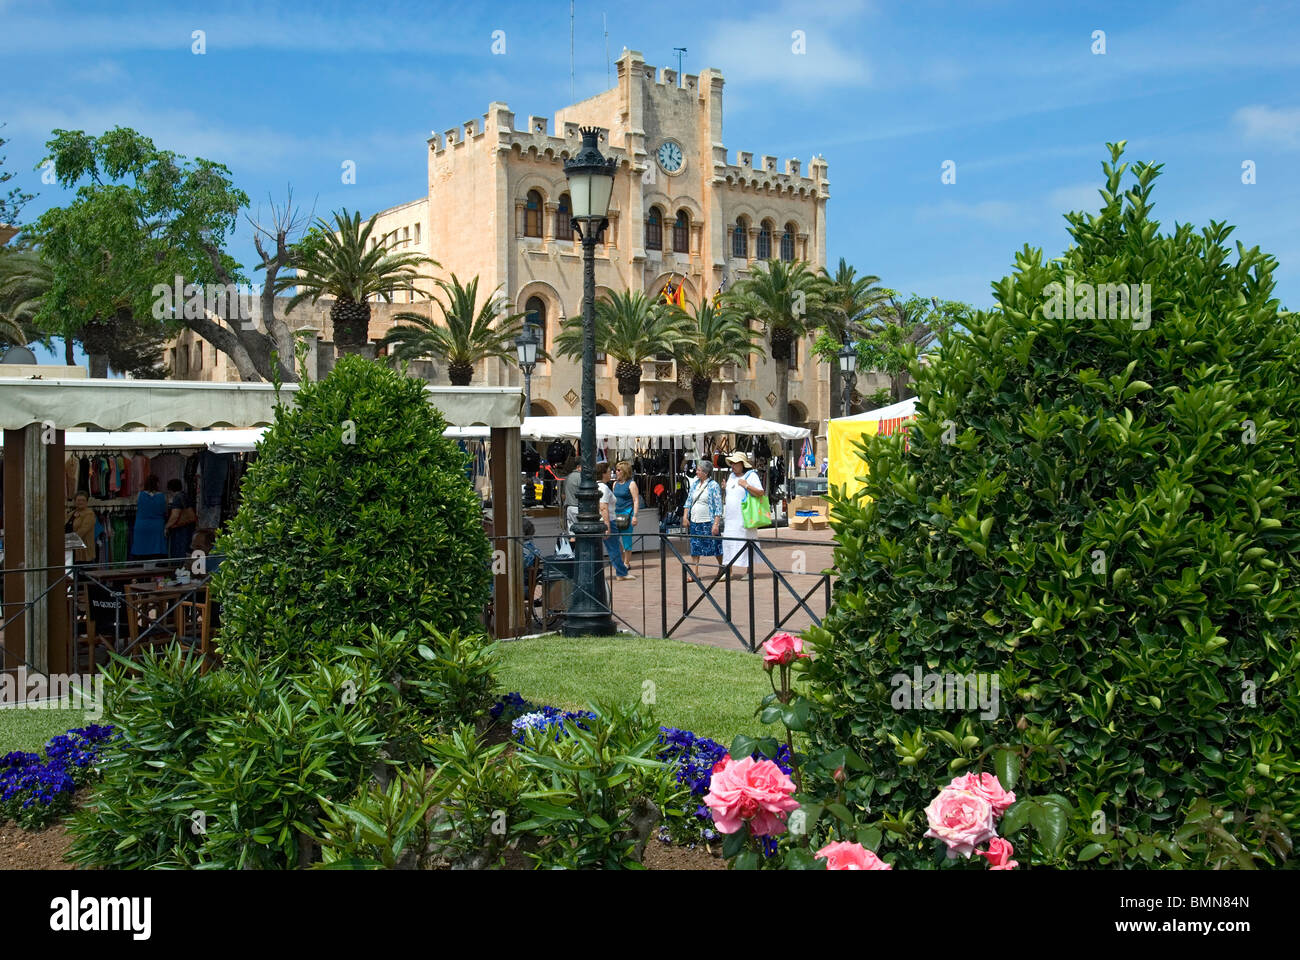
<point>707,690</point>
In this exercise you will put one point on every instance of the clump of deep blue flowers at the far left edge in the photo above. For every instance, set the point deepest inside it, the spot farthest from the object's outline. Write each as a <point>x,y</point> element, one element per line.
<point>36,792</point>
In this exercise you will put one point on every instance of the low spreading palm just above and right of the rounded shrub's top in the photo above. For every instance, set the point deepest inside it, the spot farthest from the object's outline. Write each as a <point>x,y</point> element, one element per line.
<point>470,332</point>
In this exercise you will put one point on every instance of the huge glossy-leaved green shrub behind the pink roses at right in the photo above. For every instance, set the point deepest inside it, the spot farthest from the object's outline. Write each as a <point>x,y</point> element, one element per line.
<point>1103,512</point>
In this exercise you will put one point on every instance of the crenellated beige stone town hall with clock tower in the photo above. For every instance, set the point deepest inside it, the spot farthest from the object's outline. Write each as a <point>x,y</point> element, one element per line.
<point>683,211</point>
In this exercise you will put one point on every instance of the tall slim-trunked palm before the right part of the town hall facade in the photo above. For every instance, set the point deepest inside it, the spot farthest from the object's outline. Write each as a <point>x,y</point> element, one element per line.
<point>787,299</point>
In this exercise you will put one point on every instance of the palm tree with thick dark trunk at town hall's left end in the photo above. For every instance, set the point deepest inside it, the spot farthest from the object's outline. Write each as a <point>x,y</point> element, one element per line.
<point>335,262</point>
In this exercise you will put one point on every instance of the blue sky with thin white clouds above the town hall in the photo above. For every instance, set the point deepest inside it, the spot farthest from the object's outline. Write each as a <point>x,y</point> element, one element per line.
<point>1012,93</point>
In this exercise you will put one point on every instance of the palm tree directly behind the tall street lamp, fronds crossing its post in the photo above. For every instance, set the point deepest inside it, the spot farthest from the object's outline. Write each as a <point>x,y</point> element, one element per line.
<point>631,328</point>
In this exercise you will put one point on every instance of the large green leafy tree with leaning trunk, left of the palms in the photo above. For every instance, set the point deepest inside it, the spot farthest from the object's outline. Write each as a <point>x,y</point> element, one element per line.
<point>141,219</point>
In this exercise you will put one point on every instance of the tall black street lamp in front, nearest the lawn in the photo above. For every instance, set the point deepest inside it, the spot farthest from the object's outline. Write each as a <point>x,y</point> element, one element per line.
<point>591,179</point>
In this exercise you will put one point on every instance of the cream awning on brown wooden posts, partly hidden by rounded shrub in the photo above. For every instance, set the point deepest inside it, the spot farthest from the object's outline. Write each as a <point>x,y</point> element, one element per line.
<point>163,405</point>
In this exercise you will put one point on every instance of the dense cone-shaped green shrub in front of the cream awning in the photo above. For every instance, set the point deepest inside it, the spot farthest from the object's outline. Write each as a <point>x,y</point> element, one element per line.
<point>357,513</point>
